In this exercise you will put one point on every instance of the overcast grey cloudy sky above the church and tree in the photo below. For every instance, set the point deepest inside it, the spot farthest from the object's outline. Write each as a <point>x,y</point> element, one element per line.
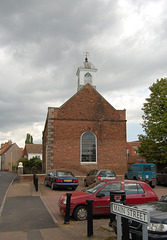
<point>42,43</point>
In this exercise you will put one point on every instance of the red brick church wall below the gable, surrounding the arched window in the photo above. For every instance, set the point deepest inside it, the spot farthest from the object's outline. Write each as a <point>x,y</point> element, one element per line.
<point>111,146</point>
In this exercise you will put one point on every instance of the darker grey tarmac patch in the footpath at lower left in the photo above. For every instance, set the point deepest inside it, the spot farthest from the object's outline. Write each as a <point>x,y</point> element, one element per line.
<point>20,214</point>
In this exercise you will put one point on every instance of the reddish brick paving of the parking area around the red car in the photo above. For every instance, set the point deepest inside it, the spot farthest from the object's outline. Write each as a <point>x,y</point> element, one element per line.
<point>101,225</point>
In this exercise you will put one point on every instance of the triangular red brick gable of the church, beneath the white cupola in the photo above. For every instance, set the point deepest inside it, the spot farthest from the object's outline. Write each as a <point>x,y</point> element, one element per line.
<point>89,104</point>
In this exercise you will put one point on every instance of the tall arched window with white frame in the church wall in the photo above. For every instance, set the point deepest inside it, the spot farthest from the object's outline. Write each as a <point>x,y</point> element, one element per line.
<point>88,147</point>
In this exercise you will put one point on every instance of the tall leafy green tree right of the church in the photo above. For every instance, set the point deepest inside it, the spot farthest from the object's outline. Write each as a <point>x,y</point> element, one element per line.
<point>153,145</point>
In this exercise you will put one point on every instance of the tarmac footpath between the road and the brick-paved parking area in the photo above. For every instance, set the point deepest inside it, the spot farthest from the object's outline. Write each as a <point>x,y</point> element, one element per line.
<point>24,215</point>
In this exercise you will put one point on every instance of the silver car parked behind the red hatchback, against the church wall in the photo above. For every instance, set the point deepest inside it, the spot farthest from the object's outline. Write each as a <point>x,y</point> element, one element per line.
<point>98,175</point>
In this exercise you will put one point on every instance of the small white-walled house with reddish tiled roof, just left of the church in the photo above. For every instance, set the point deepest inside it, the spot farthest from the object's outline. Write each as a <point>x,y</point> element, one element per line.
<point>32,150</point>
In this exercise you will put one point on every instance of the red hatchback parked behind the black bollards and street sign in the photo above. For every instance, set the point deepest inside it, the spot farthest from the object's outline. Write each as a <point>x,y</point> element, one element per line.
<point>136,193</point>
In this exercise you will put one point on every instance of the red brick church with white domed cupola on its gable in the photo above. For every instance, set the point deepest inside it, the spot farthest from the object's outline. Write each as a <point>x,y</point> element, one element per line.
<point>86,132</point>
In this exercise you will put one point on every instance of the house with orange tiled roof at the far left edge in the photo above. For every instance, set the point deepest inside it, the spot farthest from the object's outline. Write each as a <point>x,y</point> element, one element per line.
<point>10,154</point>
